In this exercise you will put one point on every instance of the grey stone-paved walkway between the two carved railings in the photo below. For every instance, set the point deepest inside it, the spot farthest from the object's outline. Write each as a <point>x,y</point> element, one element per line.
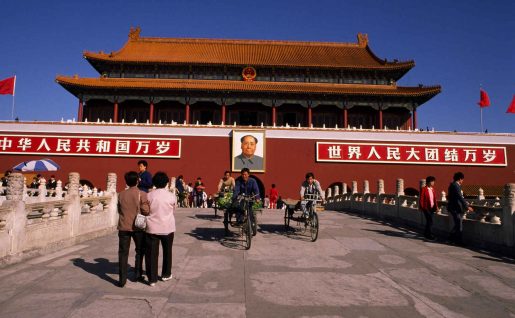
<point>357,268</point>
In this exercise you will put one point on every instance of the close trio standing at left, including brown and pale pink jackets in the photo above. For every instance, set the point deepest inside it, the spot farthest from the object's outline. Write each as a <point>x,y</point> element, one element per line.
<point>158,206</point>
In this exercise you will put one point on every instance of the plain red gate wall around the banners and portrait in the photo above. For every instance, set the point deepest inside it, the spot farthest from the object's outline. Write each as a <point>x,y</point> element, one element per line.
<point>287,161</point>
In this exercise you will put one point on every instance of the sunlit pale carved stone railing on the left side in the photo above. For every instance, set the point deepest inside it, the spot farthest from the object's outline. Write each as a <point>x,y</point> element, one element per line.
<point>32,223</point>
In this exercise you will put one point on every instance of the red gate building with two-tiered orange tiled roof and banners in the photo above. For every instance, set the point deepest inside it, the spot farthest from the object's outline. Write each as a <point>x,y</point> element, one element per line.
<point>185,105</point>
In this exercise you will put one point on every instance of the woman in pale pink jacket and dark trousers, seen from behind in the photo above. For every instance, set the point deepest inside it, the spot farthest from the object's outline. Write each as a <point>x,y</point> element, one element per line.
<point>160,228</point>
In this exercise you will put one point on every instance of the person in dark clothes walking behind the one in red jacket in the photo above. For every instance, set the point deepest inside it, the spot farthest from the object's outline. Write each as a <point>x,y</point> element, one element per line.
<point>457,206</point>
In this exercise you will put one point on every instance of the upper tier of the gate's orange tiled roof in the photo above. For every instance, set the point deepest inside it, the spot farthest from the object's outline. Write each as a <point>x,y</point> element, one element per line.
<point>248,53</point>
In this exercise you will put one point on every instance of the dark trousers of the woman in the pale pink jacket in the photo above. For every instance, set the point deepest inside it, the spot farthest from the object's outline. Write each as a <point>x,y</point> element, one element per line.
<point>152,255</point>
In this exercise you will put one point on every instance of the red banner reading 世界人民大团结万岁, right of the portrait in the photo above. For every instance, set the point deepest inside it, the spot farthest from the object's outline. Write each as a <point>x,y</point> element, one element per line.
<point>411,154</point>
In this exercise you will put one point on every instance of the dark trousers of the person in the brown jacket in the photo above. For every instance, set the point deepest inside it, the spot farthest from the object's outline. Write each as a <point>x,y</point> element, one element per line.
<point>124,244</point>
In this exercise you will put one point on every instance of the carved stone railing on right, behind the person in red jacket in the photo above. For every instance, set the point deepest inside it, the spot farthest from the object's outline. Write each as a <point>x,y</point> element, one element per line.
<point>491,224</point>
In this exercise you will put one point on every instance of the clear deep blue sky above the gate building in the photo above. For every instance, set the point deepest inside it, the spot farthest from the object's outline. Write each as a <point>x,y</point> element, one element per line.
<point>457,44</point>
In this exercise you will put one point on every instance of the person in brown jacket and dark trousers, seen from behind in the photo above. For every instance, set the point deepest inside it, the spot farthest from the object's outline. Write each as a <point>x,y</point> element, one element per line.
<point>131,202</point>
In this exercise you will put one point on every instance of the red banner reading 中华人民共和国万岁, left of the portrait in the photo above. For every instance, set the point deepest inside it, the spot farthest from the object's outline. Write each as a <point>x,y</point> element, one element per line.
<point>90,146</point>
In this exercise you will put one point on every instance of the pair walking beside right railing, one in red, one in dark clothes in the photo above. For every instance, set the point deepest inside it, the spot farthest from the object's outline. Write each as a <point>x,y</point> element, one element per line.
<point>456,205</point>
